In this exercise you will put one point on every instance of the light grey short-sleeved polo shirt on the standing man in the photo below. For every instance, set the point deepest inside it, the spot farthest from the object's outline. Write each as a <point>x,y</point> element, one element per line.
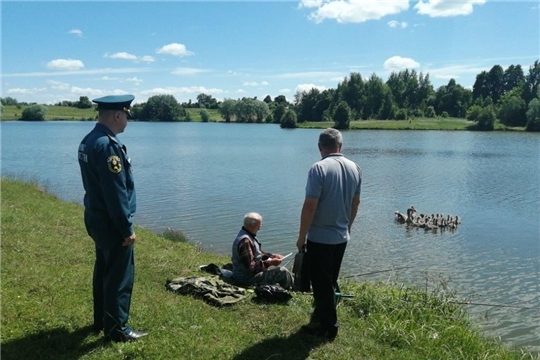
<point>334,181</point>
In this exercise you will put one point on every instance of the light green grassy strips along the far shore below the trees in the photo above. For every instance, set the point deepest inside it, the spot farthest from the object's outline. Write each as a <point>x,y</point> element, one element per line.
<point>63,113</point>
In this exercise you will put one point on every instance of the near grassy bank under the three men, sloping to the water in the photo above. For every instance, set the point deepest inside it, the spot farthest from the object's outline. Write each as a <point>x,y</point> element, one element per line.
<point>47,261</point>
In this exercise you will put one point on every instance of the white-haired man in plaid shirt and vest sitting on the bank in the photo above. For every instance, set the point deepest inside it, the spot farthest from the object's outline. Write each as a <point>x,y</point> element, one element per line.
<point>251,265</point>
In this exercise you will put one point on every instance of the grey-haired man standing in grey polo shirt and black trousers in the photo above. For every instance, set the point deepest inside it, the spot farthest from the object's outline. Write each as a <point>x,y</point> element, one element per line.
<point>330,207</point>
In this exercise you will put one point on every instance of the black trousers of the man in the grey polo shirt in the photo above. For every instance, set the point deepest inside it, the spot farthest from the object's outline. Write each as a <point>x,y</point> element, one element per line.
<point>324,265</point>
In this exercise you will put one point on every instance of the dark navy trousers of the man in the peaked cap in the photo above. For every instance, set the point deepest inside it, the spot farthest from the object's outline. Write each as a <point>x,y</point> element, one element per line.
<point>113,279</point>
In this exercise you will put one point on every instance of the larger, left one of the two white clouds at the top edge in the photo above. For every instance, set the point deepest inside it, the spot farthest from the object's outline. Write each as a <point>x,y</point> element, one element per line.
<point>354,11</point>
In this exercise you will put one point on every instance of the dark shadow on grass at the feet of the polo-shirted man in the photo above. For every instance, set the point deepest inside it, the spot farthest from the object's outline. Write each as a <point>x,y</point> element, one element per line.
<point>298,346</point>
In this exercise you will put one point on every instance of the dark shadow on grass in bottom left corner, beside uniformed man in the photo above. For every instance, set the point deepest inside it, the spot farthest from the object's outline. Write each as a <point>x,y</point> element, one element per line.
<point>51,344</point>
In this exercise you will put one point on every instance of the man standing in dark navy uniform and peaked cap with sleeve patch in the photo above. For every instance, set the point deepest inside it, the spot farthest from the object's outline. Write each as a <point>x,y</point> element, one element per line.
<point>110,204</point>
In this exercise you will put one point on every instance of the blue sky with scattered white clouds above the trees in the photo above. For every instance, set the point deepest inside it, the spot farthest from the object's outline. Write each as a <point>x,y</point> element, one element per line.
<point>54,51</point>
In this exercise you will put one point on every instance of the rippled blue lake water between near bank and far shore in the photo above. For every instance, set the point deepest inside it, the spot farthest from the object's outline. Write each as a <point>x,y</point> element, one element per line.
<point>201,178</point>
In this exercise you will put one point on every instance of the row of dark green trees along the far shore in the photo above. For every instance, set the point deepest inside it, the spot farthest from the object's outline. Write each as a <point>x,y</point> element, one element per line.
<point>509,96</point>
